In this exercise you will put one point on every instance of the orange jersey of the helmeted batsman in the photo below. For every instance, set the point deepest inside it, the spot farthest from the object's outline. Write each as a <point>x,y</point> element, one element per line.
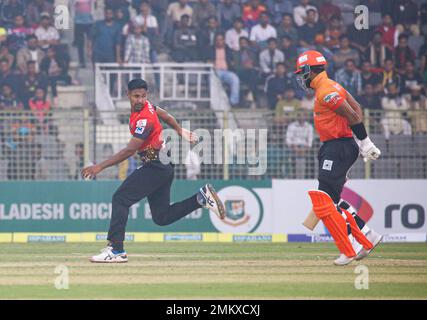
<point>329,96</point>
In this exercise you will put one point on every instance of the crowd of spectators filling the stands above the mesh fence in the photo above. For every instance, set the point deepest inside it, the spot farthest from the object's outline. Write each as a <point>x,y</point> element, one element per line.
<point>252,44</point>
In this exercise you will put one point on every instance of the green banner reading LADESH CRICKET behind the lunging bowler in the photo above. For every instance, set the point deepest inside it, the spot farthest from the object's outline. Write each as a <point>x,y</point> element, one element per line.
<point>85,206</point>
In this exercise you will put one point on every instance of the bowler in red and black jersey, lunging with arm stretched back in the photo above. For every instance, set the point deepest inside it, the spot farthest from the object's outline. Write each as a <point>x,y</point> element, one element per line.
<point>152,180</point>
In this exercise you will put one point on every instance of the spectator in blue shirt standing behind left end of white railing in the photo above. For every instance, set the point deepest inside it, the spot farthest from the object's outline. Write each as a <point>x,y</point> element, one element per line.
<point>105,40</point>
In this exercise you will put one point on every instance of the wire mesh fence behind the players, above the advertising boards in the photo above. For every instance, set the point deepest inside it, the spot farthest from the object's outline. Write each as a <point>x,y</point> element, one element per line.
<point>57,145</point>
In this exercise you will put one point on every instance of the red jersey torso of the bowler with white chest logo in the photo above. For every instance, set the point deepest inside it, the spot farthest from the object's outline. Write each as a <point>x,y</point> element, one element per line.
<point>145,125</point>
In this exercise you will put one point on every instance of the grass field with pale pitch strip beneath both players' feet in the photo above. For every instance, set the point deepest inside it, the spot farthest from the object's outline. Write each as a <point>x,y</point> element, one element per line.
<point>211,271</point>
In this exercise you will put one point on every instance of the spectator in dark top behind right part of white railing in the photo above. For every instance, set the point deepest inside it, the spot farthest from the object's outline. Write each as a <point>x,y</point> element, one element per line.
<point>184,41</point>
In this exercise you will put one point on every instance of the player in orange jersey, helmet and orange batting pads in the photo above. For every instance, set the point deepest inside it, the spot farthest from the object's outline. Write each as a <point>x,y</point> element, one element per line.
<point>338,120</point>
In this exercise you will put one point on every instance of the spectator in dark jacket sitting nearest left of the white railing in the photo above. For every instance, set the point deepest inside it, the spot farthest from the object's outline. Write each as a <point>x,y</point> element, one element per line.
<point>56,69</point>
